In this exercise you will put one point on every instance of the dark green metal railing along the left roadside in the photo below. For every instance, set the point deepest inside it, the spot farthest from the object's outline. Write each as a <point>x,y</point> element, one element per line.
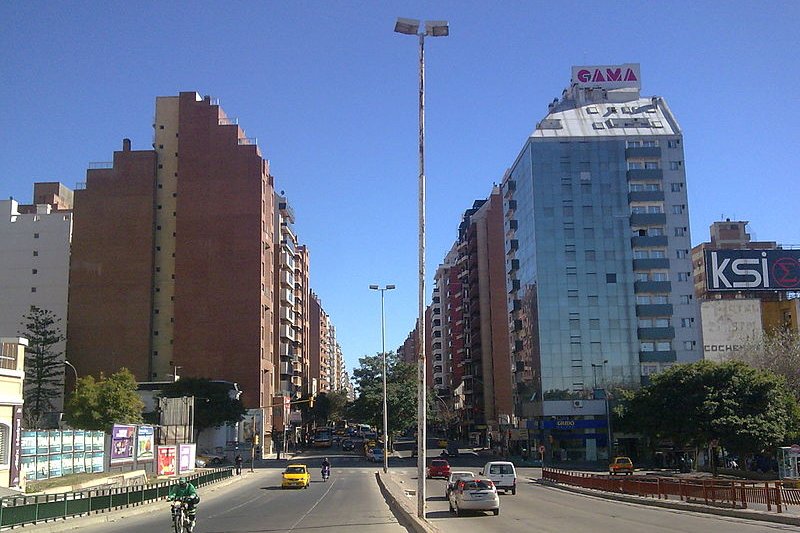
<point>19,510</point>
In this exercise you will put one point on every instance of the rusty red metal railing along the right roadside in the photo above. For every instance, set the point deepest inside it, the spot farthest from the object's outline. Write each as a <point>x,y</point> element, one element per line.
<point>708,491</point>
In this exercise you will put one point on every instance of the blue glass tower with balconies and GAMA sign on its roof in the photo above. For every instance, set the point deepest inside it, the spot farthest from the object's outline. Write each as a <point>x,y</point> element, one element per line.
<point>598,252</point>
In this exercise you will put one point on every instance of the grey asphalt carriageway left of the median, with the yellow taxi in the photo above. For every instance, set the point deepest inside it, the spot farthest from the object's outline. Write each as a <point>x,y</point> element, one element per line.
<point>350,500</point>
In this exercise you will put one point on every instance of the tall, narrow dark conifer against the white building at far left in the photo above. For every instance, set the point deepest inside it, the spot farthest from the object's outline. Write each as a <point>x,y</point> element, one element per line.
<point>44,365</point>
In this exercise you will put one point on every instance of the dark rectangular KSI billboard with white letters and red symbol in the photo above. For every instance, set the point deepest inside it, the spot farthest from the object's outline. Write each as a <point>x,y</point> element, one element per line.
<point>753,270</point>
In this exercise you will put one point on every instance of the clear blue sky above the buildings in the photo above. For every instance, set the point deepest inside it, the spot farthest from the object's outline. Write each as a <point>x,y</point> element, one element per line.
<point>331,94</point>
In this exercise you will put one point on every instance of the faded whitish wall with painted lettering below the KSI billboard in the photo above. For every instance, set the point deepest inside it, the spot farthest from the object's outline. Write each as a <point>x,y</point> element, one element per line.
<point>728,325</point>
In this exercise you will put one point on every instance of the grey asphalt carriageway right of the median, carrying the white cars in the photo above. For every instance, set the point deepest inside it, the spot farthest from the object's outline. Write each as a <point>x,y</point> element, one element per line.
<point>543,509</point>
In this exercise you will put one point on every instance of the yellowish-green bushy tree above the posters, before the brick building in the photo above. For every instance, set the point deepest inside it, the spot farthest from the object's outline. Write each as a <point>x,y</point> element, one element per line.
<point>99,404</point>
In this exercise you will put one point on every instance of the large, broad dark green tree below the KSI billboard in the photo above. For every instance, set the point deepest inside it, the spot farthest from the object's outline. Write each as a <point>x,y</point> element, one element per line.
<point>745,409</point>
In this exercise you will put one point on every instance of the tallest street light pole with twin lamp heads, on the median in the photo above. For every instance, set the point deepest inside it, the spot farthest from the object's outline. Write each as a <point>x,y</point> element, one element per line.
<point>433,28</point>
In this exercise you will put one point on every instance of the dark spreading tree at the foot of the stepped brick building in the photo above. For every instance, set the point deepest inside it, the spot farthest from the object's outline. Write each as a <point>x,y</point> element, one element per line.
<point>214,405</point>
